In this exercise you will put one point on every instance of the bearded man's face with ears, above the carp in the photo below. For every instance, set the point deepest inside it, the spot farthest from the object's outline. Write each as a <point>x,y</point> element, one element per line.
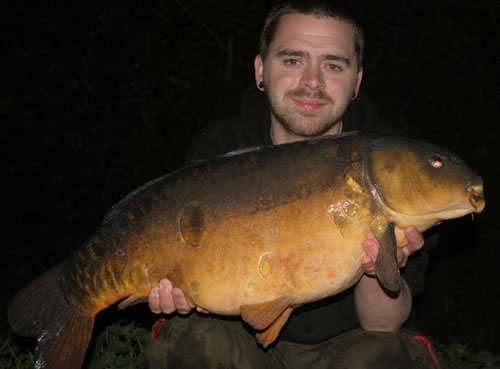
<point>310,73</point>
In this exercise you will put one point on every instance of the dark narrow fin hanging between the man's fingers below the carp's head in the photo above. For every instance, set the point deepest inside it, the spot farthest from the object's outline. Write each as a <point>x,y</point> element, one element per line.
<point>387,261</point>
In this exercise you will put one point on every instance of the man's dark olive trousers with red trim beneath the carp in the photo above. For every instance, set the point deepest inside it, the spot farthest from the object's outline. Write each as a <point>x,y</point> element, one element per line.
<point>205,342</point>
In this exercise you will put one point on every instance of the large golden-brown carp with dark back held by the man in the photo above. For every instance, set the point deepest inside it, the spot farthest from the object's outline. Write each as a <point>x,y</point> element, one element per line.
<point>255,235</point>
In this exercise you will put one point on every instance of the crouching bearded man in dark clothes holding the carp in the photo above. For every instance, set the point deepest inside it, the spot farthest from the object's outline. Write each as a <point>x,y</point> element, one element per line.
<point>310,68</point>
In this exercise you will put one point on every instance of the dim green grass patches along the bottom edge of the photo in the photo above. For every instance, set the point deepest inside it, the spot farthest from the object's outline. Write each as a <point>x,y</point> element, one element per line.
<point>121,346</point>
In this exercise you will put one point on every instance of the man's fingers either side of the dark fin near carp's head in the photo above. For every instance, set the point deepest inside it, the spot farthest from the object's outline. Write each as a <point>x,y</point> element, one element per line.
<point>371,247</point>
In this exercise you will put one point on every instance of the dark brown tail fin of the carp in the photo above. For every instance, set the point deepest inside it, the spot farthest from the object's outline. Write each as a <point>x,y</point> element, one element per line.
<point>41,310</point>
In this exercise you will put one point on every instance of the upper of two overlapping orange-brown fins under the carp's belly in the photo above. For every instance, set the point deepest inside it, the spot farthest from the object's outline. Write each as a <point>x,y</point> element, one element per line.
<point>260,316</point>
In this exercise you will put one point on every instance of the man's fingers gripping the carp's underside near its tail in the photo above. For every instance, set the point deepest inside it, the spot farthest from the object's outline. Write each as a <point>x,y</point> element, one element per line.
<point>168,299</point>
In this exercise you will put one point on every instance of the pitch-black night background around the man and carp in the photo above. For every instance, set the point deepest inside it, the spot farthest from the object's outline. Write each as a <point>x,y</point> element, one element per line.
<point>97,98</point>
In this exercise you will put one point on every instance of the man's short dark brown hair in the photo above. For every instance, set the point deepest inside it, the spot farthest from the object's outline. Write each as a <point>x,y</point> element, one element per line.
<point>316,8</point>
